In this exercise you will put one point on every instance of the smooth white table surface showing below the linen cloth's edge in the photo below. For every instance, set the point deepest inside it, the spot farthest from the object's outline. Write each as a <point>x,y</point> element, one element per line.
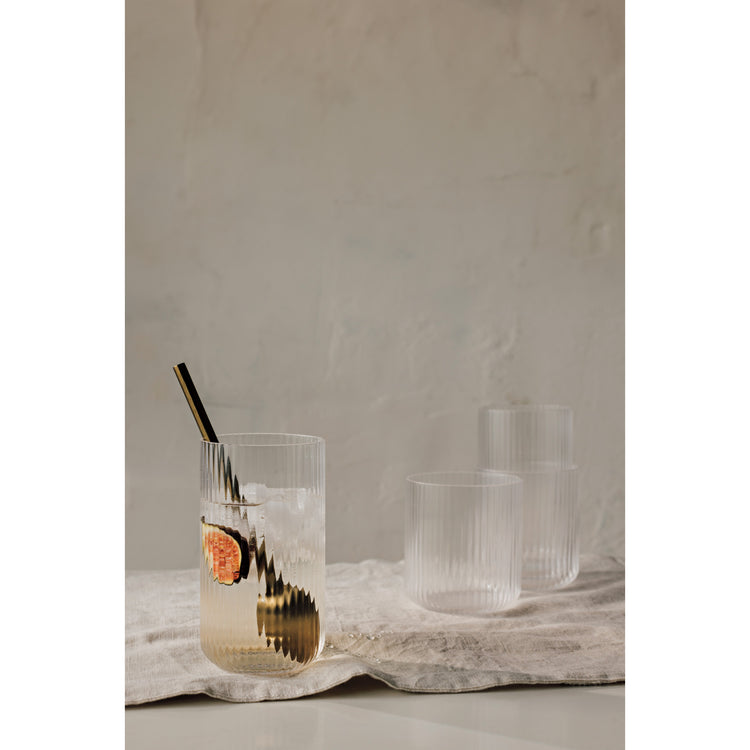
<point>364,714</point>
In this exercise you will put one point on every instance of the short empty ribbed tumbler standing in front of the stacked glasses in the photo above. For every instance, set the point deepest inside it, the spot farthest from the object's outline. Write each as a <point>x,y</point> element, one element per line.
<point>463,546</point>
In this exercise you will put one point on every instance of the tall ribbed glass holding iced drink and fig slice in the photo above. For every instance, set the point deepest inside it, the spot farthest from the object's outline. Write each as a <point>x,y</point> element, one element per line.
<point>262,606</point>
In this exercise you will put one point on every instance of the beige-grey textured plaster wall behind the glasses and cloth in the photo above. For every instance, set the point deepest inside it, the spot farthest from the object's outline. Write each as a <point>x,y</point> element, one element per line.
<point>364,219</point>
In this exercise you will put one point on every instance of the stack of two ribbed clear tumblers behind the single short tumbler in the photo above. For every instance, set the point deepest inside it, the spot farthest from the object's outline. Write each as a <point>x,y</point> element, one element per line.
<point>536,444</point>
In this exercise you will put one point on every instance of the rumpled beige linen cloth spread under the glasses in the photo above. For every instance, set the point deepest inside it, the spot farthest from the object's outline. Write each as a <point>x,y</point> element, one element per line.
<point>572,636</point>
